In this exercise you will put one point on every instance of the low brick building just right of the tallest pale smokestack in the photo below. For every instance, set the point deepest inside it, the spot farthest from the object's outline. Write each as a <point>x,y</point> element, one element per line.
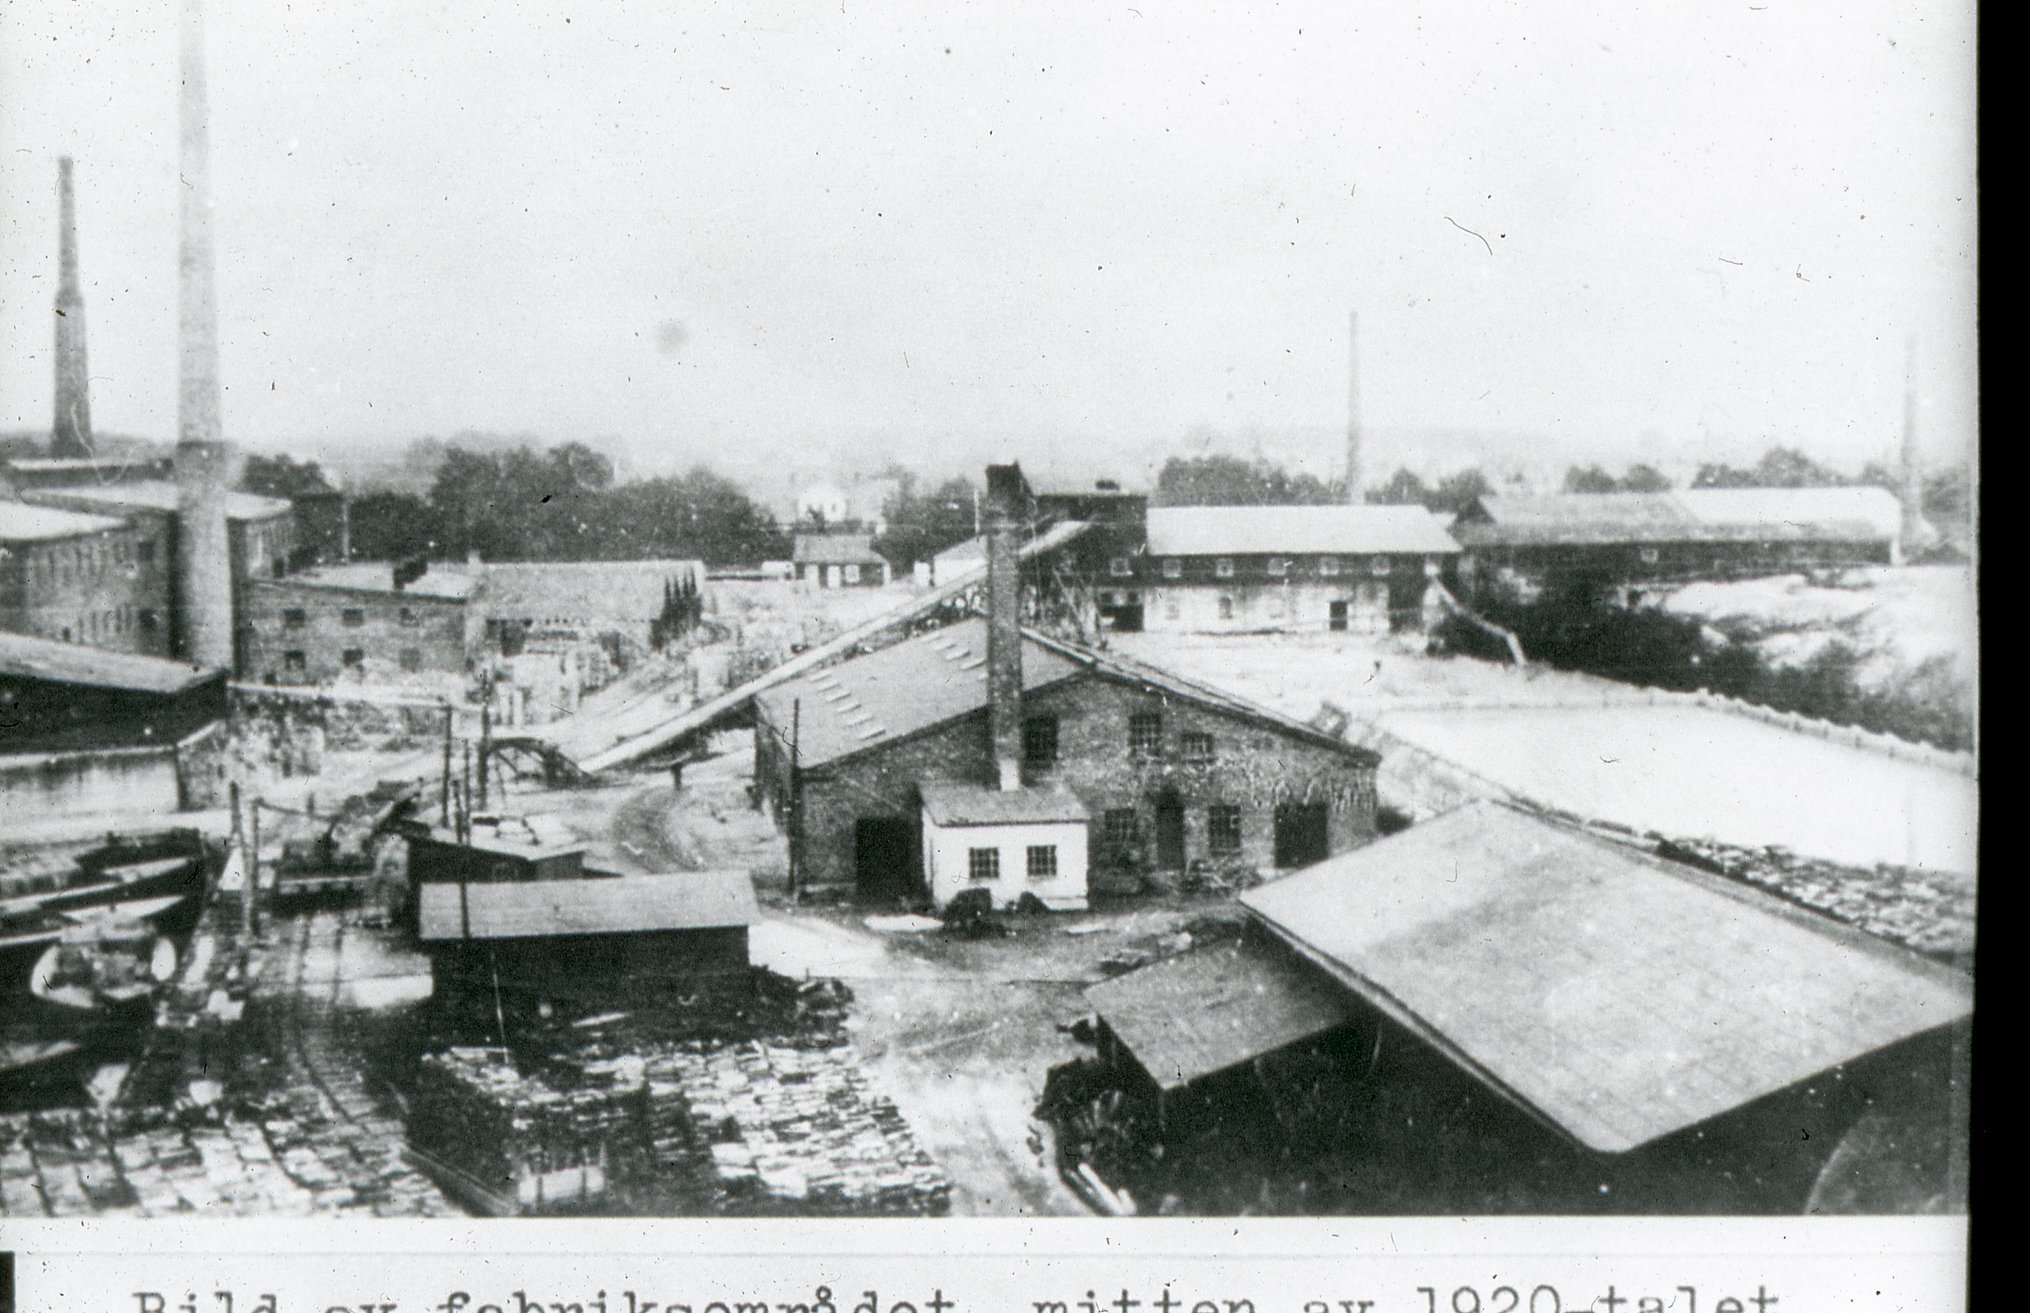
<point>324,624</point>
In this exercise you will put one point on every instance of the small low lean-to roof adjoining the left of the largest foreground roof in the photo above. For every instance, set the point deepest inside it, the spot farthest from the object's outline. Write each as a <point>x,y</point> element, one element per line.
<point>1217,1008</point>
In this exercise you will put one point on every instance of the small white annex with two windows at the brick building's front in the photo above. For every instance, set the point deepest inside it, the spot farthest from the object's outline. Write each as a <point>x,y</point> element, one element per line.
<point>1006,841</point>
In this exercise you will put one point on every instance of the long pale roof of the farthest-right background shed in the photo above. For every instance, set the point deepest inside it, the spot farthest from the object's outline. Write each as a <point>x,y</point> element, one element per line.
<point>1708,514</point>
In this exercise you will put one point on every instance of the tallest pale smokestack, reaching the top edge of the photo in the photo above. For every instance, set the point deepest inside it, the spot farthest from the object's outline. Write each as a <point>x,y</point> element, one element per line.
<point>204,571</point>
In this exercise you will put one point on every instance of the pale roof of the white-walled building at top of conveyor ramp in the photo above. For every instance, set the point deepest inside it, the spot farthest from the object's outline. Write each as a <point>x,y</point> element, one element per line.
<point>1296,531</point>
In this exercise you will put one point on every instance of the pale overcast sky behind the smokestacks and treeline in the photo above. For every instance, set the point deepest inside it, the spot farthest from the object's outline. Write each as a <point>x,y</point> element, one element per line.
<point>772,226</point>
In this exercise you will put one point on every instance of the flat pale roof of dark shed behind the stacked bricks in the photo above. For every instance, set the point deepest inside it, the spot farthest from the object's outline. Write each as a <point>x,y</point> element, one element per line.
<point>594,906</point>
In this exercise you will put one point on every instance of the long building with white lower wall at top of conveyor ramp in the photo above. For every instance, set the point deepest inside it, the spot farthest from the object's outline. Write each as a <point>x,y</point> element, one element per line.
<point>1300,569</point>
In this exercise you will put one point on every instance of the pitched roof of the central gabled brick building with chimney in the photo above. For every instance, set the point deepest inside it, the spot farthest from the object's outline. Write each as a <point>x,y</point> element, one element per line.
<point>939,677</point>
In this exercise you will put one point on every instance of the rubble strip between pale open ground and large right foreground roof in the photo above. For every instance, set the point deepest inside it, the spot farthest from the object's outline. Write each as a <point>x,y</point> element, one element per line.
<point>1923,910</point>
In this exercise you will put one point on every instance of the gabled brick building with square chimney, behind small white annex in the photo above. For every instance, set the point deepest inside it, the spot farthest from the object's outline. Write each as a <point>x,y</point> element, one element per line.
<point>1168,772</point>
